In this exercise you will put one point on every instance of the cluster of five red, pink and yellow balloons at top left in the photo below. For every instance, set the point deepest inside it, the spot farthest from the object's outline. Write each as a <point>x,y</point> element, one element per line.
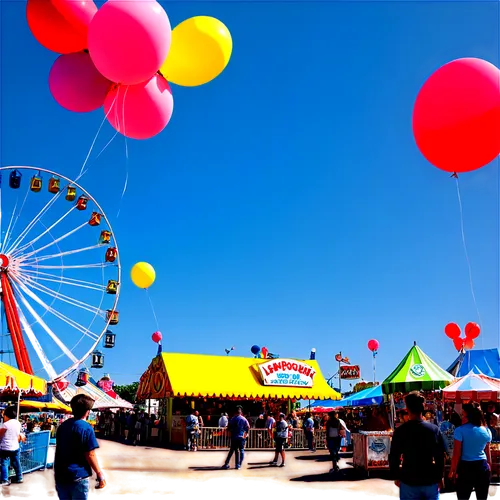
<point>122,56</point>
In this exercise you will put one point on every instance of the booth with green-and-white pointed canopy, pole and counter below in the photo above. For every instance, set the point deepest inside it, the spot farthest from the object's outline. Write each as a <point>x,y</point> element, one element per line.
<point>415,372</point>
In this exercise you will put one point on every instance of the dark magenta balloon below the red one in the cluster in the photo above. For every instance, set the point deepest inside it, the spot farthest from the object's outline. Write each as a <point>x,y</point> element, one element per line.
<point>76,84</point>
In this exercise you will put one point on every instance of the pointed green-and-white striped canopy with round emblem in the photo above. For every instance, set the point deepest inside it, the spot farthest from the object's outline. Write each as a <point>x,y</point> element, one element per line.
<point>416,372</point>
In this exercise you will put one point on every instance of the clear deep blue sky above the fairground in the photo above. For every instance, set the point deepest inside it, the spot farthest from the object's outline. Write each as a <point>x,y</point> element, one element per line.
<point>286,204</point>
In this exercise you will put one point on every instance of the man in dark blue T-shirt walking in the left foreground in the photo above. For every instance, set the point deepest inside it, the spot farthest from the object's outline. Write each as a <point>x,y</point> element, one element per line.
<point>75,456</point>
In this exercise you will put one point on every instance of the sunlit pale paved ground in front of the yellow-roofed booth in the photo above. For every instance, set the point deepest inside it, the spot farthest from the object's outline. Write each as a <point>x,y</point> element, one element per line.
<point>139,470</point>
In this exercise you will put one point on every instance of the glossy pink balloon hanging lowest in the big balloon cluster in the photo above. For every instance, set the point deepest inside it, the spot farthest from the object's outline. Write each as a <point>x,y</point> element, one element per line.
<point>140,111</point>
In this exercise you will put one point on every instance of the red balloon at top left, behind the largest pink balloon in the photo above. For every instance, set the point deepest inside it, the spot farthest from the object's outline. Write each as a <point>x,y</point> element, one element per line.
<point>52,29</point>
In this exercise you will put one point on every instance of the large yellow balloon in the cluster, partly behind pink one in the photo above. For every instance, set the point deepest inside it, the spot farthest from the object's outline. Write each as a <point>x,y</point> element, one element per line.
<point>201,48</point>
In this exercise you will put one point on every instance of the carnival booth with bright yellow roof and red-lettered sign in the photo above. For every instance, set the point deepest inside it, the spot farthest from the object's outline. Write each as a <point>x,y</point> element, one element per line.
<point>209,384</point>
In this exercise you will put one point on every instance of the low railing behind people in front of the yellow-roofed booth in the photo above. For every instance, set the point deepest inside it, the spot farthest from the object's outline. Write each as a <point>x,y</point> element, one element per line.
<point>216,438</point>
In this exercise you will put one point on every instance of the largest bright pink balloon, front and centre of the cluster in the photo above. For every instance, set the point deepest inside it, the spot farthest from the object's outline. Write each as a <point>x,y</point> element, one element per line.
<point>129,40</point>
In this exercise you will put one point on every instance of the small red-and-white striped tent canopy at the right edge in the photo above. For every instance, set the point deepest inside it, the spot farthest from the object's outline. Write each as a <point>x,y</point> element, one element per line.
<point>475,387</point>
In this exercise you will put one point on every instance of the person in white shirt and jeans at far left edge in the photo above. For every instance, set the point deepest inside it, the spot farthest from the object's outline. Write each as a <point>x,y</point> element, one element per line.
<point>10,437</point>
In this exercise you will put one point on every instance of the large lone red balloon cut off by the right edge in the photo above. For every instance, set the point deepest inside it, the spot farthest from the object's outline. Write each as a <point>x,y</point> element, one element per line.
<point>456,117</point>
